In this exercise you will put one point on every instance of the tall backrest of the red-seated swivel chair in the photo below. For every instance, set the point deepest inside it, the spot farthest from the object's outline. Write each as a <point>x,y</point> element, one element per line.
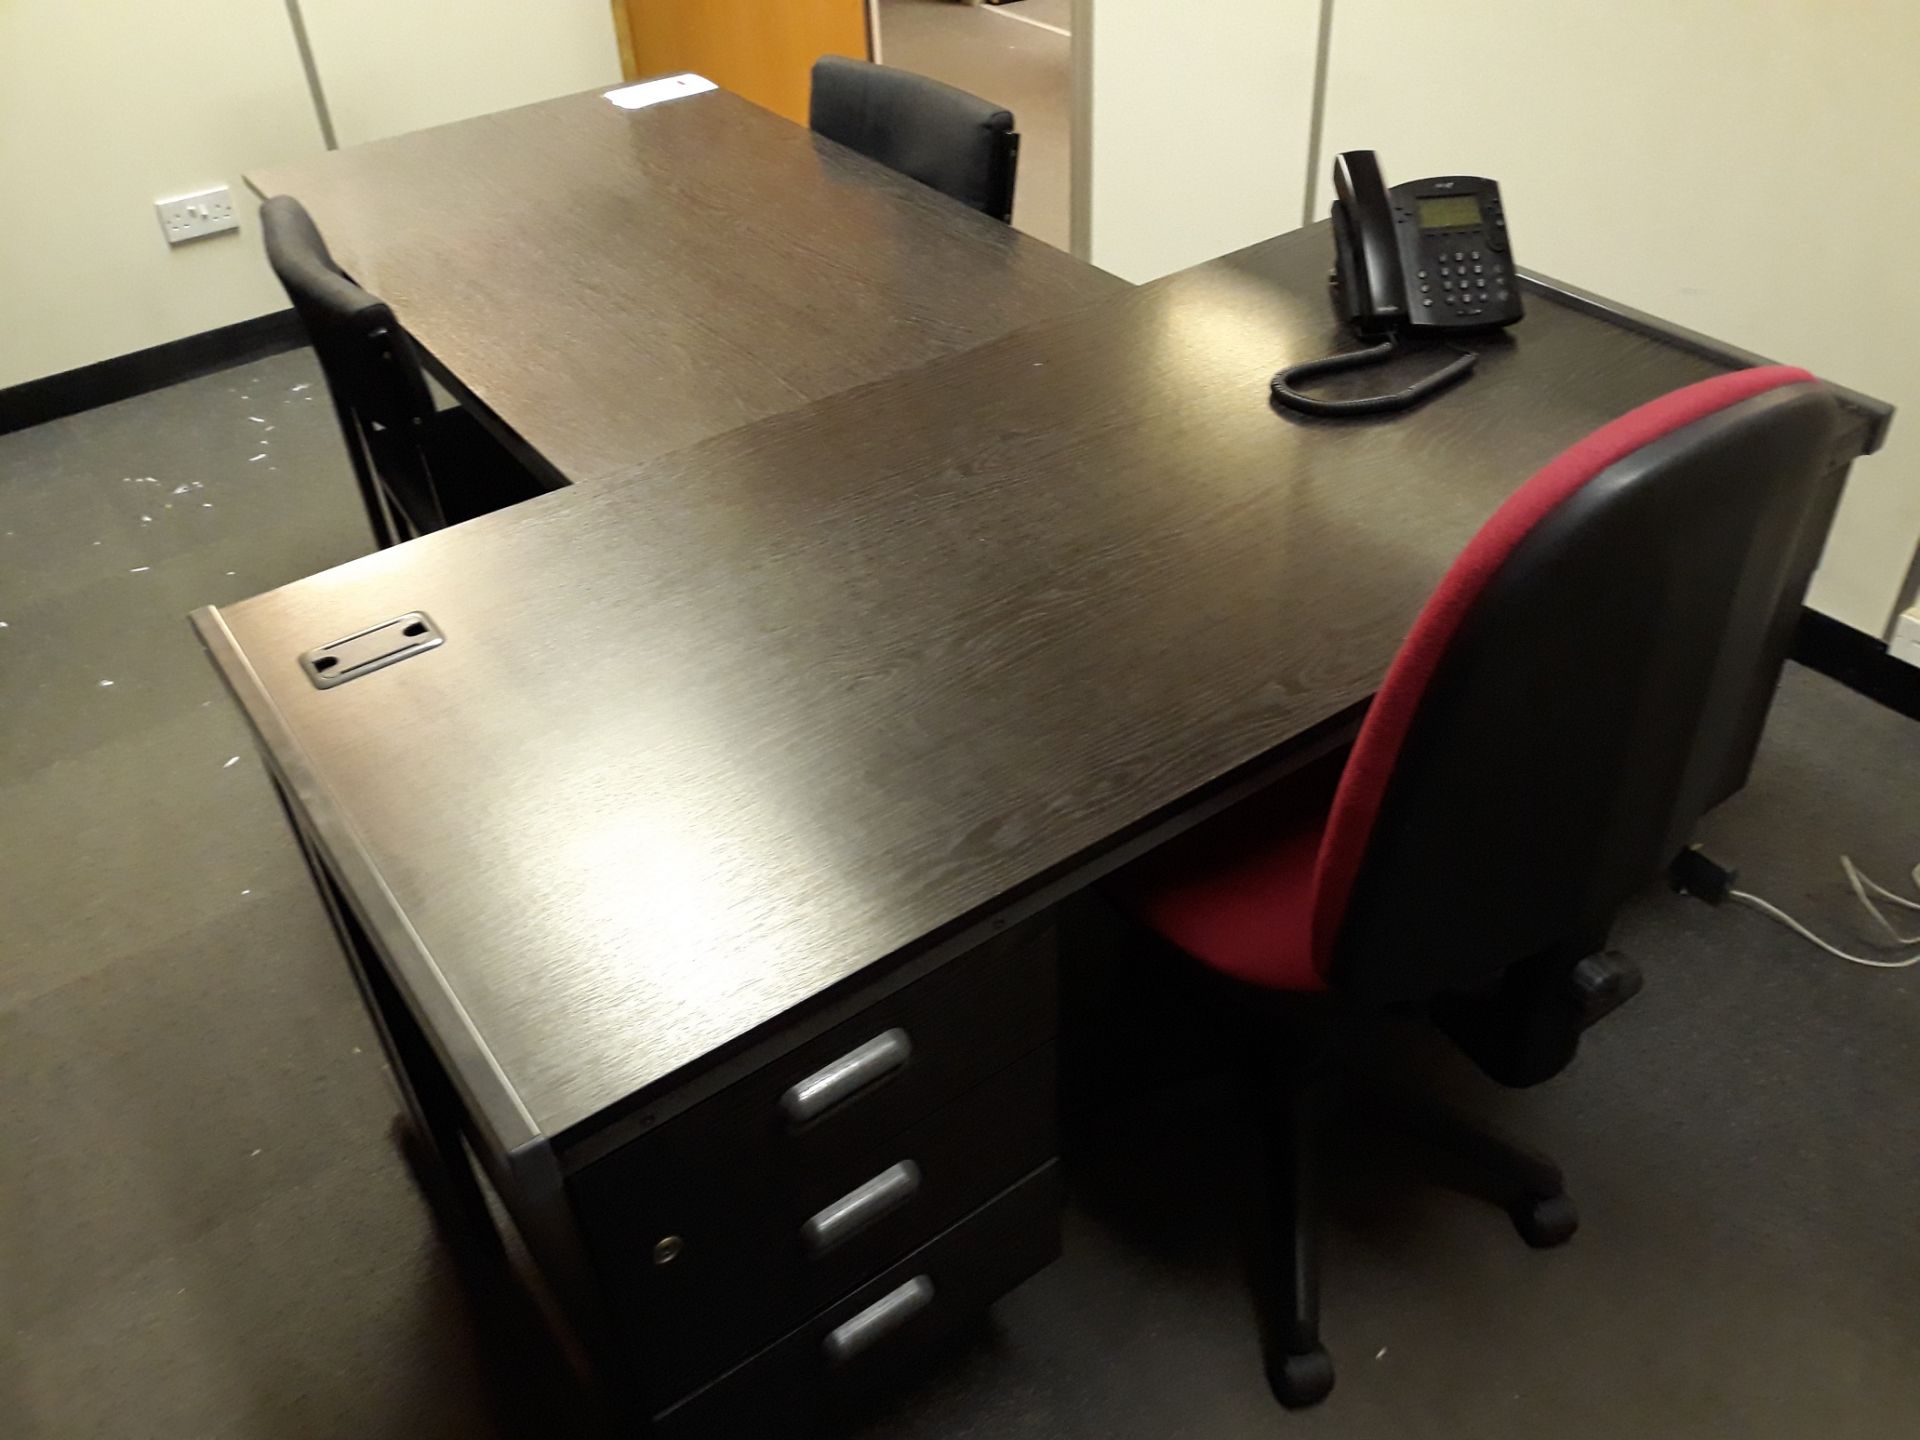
<point>1585,684</point>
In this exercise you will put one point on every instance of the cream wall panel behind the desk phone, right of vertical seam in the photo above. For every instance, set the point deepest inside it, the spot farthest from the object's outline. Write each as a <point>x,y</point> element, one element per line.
<point>1739,166</point>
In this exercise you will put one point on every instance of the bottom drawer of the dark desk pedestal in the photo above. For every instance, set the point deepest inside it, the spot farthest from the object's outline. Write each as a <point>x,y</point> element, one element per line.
<point>792,1387</point>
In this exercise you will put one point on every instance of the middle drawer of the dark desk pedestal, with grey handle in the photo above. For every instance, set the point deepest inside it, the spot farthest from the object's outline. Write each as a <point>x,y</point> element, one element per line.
<point>750,1260</point>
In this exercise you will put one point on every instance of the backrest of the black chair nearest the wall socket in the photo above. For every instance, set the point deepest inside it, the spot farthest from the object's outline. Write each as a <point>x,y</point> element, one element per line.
<point>370,364</point>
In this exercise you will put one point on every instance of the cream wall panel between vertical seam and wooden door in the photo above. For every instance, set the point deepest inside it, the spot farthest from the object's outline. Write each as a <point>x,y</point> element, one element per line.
<point>395,66</point>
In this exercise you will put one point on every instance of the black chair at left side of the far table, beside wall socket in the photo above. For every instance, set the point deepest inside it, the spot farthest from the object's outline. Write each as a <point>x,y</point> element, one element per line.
<point>420,469</point>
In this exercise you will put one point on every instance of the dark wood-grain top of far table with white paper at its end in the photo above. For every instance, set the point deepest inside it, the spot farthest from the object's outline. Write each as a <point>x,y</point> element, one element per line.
<point>615,285</point>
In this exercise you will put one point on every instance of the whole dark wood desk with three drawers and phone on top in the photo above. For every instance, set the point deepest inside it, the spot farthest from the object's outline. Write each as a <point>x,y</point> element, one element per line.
<point>786,742</point>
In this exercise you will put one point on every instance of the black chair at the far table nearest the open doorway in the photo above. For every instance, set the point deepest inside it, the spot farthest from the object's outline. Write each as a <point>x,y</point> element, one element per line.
<point>938,135</point>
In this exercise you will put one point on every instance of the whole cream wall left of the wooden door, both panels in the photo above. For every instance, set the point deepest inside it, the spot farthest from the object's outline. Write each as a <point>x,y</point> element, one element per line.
<point>108,108</point>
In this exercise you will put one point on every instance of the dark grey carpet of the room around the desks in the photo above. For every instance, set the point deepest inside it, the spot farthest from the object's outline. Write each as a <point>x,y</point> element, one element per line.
<point>206,1232</point>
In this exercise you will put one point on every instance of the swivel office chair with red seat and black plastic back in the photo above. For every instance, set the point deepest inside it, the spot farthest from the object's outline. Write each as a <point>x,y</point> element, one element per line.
<point>1587,681</point>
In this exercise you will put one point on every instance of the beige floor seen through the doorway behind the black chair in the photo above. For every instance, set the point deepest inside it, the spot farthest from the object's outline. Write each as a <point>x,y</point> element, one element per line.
<point>996,53</point>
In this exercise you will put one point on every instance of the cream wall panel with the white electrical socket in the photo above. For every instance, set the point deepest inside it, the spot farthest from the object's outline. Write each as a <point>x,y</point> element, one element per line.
<point>105,110</point>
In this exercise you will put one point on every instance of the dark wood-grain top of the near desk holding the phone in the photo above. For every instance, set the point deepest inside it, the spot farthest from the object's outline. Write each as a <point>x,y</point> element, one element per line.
<point>717,736</point>
